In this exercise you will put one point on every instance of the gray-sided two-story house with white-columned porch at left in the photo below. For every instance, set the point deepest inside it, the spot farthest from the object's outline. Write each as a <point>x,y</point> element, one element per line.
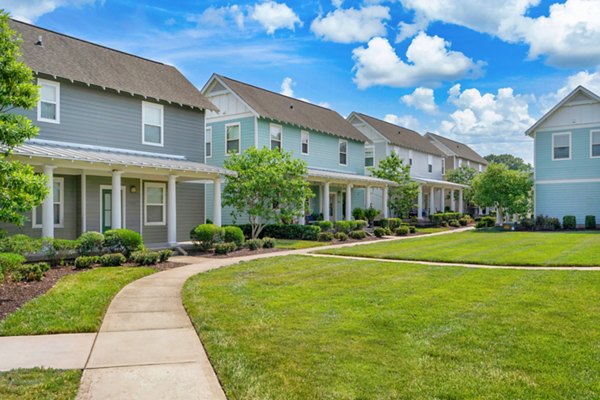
<point>121,141</point>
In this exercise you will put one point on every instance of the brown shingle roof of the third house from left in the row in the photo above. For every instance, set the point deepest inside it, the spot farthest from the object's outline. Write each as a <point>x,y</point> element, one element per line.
<point>399,136</point>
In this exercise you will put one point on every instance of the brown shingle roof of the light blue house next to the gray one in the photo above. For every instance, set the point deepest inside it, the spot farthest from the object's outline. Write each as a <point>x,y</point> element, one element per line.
<point>287,109</point>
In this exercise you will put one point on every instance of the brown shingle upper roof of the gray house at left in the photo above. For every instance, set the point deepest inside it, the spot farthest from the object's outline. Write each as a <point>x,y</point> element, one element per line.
<point>78,60</point>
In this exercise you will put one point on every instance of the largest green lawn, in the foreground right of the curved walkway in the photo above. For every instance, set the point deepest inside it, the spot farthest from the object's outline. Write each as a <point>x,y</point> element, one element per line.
<point>301,328</point>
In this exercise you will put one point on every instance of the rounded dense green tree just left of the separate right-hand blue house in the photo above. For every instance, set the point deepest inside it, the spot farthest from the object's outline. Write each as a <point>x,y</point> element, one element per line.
<point>507,190</point>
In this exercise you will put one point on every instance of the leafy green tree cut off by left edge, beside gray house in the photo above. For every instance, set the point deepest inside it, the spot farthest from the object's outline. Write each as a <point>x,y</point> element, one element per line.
<point>22,189</point>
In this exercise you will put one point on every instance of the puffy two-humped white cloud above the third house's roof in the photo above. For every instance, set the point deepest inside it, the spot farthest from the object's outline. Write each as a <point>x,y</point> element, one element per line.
<point>429,61</point>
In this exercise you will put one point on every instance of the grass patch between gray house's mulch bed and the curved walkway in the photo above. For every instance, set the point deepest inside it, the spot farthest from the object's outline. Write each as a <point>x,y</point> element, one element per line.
<point>77,303</point>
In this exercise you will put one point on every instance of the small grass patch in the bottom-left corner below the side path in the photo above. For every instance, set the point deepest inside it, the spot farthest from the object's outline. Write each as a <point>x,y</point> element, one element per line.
<point>37,383</point>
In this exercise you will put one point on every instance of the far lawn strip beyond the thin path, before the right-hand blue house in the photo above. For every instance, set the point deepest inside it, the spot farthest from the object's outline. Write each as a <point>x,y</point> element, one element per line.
<point>490,247</point>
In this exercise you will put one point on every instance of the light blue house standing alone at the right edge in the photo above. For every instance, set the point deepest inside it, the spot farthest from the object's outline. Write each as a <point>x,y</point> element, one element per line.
<point>567,157</point>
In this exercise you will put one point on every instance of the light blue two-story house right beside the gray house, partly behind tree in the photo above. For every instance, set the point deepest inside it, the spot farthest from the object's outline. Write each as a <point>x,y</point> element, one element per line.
<point>333,149</point>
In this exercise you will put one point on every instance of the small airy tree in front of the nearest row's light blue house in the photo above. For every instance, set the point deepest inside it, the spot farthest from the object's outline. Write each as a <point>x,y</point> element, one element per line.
<point>269,185</point>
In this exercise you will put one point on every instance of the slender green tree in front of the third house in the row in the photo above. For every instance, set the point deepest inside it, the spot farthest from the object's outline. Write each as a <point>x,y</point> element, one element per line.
<point>402,198</point>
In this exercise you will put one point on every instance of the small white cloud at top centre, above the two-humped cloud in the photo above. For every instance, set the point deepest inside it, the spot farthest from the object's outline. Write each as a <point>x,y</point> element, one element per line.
<point>352,25</point>
